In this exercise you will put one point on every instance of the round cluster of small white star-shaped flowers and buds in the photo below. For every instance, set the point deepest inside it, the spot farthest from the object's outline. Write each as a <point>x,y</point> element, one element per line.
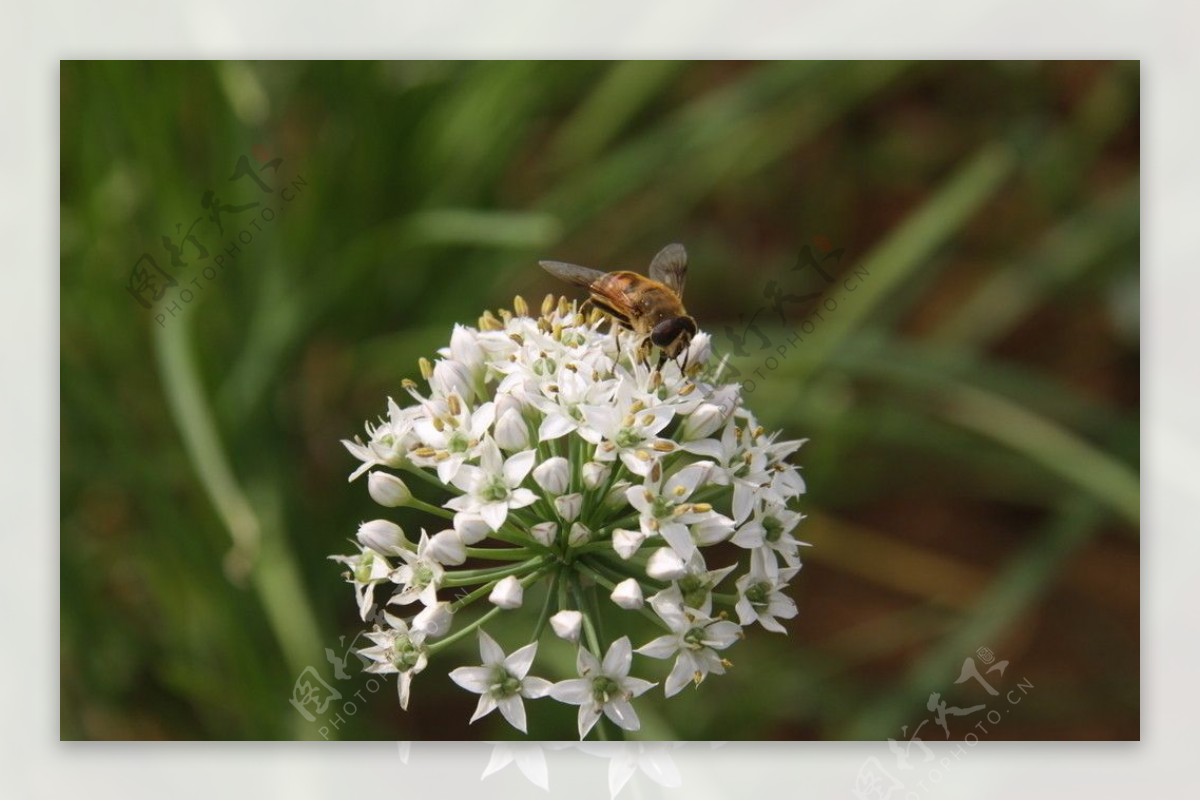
<point>577,469</point>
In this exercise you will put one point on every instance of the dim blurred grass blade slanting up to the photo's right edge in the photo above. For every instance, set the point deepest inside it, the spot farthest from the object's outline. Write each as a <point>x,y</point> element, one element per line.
<point>1018,288</point>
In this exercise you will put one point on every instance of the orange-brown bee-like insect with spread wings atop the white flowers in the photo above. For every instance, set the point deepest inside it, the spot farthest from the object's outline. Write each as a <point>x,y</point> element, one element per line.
<point>650,308</point>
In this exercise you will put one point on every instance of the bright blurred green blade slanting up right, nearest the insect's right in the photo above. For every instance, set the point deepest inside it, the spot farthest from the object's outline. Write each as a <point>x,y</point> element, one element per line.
<point>904,252</point>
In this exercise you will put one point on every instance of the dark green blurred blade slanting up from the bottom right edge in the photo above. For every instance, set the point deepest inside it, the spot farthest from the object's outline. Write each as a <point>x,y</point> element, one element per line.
<point>1023,582</point>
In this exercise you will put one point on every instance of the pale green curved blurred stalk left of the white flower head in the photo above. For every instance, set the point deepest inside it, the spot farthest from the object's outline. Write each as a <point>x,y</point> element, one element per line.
<point>259,551</point>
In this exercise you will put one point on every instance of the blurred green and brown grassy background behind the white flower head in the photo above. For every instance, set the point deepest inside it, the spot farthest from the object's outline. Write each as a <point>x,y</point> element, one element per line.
<point>973,407</point>
